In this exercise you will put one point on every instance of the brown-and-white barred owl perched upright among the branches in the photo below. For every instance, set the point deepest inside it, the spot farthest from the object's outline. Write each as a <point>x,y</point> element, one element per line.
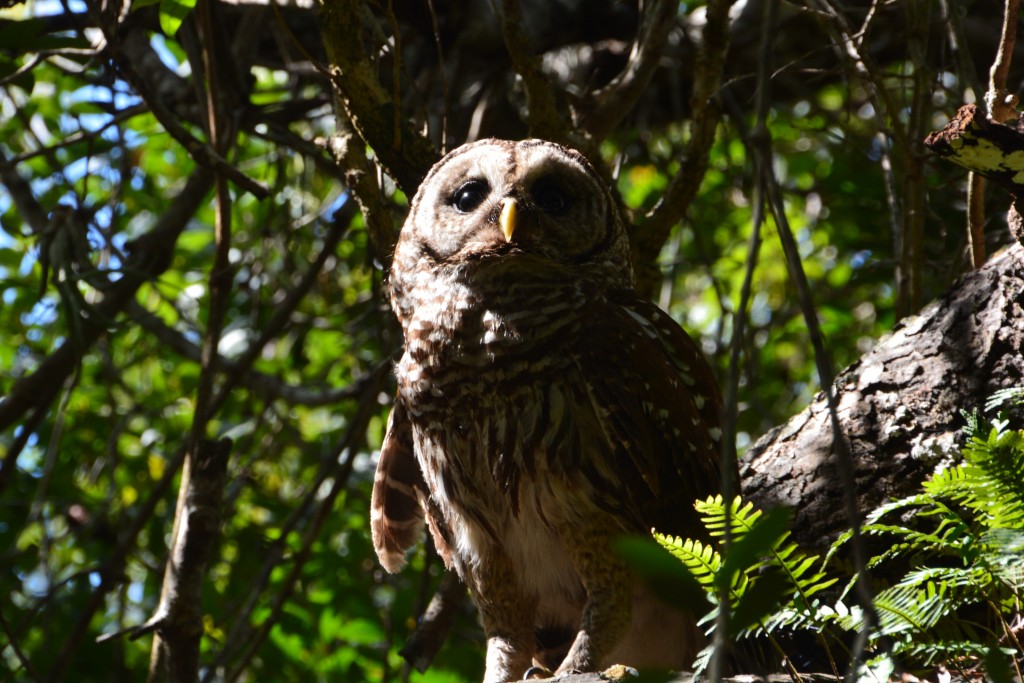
<point>544,410</point>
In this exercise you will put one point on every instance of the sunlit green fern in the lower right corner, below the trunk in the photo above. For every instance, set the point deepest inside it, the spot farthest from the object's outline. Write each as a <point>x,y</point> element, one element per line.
<point>968,547</point>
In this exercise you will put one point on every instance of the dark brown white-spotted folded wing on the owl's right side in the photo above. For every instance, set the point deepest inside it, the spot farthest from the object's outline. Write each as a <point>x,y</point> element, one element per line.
<point>659,406</point>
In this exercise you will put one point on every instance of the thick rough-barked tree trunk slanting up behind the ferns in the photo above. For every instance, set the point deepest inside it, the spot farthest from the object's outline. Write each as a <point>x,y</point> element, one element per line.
<point>901,405</point>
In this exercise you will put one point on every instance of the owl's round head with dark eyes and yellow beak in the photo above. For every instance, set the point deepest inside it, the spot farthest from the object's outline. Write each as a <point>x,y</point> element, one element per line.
<point>527,208</point>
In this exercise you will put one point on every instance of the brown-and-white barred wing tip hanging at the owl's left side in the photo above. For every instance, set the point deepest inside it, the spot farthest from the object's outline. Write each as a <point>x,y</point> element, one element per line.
<point>401,501</point>
